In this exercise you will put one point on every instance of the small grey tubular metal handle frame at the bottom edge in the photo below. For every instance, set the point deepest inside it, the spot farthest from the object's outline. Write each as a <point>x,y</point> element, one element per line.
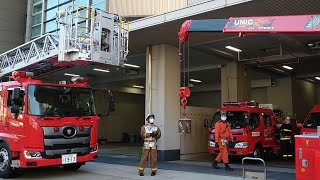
<point>248,174</point>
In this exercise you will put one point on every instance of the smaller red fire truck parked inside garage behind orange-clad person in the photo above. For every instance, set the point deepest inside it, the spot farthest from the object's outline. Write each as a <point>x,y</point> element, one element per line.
<point>252,127</point>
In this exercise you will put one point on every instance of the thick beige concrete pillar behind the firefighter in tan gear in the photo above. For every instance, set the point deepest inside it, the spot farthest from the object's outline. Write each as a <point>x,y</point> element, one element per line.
<point>162,97</point>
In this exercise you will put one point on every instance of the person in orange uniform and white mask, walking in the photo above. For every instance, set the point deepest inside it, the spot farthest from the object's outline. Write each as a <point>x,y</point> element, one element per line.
<point>223,135</point>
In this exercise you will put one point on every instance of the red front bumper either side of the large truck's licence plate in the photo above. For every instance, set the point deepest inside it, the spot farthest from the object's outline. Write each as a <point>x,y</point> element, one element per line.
<point>41,162</point>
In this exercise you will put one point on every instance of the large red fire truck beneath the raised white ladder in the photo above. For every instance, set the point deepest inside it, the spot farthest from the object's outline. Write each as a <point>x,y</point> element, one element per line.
<point>46,124</point>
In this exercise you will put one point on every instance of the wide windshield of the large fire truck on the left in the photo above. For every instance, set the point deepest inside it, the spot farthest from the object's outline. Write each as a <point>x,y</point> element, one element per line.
<point>60,101</point>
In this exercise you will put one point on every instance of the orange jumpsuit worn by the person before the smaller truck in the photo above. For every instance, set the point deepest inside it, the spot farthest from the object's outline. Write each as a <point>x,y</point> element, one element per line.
<point>223,131</point>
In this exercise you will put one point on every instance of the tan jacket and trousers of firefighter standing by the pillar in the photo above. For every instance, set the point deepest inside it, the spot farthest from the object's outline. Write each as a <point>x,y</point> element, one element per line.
<point>149,146</point>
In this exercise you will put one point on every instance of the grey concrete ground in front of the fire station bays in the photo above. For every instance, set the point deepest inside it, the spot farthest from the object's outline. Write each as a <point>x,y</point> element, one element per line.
<point>119,161</point>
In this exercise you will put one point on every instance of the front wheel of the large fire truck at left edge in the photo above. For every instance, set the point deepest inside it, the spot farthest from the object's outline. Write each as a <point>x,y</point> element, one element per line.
<point>6,171</point>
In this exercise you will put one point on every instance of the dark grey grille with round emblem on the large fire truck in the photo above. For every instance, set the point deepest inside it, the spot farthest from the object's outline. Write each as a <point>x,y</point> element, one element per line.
<point>69,139</point>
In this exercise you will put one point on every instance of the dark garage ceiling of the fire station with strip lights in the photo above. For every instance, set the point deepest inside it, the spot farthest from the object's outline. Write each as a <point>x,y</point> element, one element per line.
<point>208,49</point>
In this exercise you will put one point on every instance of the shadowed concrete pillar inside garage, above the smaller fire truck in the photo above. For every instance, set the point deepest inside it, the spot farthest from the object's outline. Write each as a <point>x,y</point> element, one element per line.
<point>235,83</point>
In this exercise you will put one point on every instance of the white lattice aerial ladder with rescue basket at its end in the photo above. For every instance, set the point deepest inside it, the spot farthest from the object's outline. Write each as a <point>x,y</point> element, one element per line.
<point>85,36</point>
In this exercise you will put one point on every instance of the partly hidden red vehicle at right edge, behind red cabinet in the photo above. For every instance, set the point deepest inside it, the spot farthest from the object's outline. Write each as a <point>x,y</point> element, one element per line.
<point>312,121</point>
